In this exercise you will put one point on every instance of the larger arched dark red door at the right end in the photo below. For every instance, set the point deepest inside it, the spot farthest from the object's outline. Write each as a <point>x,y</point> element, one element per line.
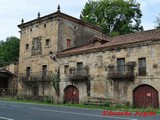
<point>145,96</point>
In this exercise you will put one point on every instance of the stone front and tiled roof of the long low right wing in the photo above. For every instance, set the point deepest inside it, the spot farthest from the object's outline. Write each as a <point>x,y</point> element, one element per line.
<point>98,60</point>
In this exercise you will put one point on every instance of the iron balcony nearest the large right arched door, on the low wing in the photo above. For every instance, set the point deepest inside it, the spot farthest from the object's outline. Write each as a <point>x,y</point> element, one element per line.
<point>121,72</point>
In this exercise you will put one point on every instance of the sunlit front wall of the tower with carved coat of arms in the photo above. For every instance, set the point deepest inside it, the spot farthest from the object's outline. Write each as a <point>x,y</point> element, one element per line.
<point>44,30</point>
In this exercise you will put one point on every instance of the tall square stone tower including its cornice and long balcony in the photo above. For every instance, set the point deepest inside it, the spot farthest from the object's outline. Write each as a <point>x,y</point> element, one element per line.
<point>40,41</point>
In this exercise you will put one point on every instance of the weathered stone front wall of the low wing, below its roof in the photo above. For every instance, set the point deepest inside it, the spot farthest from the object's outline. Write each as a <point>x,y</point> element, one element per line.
<point>120,89</point>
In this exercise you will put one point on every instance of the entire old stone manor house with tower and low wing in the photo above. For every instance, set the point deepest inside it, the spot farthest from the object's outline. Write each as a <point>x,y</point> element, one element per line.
<point>89,64</point>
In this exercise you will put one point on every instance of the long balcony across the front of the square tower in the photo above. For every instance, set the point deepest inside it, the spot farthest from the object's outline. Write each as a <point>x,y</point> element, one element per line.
<point>36,77</point>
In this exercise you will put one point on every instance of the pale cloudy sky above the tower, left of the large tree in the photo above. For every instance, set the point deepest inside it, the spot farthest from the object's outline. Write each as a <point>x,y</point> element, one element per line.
<point>12,11</point>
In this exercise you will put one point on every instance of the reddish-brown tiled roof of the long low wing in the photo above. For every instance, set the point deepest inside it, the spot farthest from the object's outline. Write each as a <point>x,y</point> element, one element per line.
<point>131,38</point>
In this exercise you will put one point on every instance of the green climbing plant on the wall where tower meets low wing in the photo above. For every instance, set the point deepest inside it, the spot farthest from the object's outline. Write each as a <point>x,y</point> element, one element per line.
<point>56,82</point>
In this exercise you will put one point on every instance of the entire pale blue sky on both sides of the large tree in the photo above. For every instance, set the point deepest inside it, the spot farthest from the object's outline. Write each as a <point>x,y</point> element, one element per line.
<point>12,11</point>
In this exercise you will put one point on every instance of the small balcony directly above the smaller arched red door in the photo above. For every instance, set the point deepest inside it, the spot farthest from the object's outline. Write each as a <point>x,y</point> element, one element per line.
<point>78,74</point>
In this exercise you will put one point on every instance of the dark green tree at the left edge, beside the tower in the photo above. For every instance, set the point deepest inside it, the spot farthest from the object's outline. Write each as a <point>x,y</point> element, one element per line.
<point>9,51</point>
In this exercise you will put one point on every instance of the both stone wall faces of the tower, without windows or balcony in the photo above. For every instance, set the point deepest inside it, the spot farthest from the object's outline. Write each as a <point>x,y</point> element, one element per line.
<point>57,31</point>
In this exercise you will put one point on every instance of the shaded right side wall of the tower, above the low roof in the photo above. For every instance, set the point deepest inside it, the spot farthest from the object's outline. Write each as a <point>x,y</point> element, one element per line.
<point>77,33</point>
